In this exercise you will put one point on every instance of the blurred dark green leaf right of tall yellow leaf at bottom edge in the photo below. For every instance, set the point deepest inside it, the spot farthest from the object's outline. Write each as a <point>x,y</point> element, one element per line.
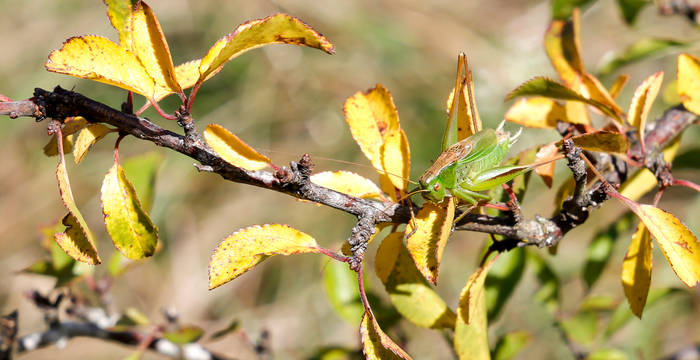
<point>502,279</point>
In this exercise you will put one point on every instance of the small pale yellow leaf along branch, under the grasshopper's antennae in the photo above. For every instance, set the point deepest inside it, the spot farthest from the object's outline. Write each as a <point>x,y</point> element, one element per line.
<point>348,183</point>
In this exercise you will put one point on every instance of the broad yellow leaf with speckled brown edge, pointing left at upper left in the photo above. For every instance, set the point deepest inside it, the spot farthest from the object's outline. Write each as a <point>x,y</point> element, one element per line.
<point>98,58</point>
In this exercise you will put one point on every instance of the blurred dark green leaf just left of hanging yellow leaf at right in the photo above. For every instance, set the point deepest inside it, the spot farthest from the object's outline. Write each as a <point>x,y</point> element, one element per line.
<point>601,248</point>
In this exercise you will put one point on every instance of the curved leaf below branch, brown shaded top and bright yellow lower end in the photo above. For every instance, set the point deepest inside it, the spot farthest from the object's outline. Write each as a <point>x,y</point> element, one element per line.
<point>407,288</point>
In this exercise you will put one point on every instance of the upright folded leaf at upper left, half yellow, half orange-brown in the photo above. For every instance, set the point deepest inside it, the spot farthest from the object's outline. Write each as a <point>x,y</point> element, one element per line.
<point>150,46</point>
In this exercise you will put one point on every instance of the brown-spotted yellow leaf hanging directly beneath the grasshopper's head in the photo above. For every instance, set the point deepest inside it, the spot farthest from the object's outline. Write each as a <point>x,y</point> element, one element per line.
<point>433,225</point>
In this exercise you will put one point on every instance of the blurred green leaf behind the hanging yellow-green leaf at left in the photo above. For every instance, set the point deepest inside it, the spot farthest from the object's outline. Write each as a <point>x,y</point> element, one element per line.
<point>142,170</point>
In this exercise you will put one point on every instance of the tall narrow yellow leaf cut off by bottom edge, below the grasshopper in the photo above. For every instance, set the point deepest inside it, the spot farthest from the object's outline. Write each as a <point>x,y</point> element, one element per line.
<point>471,331</point>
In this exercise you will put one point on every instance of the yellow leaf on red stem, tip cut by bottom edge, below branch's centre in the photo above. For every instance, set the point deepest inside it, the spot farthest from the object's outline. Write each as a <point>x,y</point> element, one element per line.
<point>376,345</point>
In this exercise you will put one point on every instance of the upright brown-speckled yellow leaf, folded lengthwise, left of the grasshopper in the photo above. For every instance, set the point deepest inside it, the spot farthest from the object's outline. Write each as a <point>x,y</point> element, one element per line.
<point>374,124</point>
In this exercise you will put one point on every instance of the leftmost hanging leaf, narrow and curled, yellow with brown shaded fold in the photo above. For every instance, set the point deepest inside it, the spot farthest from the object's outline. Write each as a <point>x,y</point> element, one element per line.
<point>77,241</point>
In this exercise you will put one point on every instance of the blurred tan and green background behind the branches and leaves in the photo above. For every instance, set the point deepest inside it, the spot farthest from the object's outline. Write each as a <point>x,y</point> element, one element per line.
<point>288,100</point>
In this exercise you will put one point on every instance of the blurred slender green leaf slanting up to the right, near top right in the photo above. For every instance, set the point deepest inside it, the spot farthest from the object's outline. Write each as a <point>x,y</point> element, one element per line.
<point>640,50</point>
